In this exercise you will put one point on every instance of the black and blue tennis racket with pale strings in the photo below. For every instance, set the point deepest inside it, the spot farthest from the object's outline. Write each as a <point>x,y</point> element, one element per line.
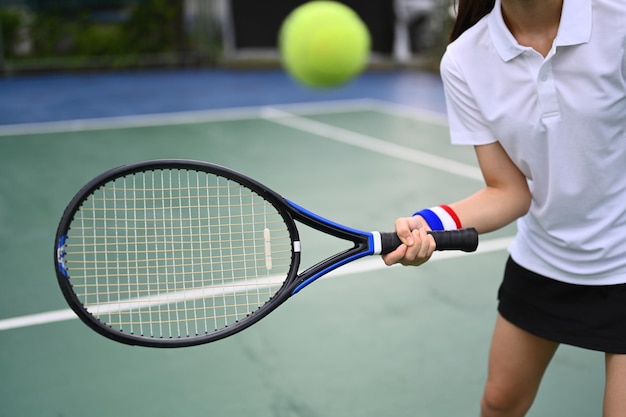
<point>171,253</point>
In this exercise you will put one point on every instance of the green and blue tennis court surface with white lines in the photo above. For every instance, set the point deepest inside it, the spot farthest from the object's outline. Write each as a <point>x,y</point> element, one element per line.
<point>367,341</point>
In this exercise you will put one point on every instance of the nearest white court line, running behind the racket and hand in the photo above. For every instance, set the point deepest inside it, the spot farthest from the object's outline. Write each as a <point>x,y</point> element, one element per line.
<point>361,266</point>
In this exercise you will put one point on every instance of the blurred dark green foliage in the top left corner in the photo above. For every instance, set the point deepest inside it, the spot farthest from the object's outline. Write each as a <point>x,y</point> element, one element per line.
<point>75,34</point>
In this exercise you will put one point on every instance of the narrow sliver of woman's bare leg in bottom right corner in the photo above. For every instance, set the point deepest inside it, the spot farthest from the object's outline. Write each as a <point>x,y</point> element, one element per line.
<point>615,390</point>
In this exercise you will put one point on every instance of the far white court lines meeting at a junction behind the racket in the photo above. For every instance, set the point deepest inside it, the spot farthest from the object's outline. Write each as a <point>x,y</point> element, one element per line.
<point>283,115</point>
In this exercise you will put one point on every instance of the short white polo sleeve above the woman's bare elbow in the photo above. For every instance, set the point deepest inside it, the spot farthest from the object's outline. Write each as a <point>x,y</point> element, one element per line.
<point>467,124</point>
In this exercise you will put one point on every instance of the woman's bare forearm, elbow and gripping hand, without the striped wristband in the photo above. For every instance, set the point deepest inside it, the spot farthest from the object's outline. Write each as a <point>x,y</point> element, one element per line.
<point>504,198</point>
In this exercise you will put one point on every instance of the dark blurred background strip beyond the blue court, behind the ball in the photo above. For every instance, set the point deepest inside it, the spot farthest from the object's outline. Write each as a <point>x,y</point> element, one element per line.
<point>62,35</point>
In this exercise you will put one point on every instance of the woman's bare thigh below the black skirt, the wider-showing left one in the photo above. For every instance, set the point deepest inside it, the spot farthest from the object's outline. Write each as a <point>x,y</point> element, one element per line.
<point>517,362</point>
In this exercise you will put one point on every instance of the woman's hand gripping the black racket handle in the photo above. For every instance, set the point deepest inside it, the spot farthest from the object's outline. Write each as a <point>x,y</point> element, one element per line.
<point>417,246</point>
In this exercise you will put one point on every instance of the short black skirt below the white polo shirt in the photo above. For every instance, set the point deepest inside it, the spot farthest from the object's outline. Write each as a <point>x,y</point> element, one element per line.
<point>587,316</point>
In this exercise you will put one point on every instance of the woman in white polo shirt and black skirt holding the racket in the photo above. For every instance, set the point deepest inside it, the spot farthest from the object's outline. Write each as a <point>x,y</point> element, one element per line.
<point>538,87</point>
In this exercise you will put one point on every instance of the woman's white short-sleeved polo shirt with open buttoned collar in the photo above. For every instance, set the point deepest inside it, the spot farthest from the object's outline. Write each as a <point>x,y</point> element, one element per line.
<point>562,120</point>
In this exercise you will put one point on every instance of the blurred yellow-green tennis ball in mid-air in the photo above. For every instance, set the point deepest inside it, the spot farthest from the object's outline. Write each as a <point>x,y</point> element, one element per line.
<point>323,44</point>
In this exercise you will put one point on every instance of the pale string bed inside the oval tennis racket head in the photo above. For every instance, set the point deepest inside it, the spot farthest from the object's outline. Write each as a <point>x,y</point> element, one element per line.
<point>173,253</point>
